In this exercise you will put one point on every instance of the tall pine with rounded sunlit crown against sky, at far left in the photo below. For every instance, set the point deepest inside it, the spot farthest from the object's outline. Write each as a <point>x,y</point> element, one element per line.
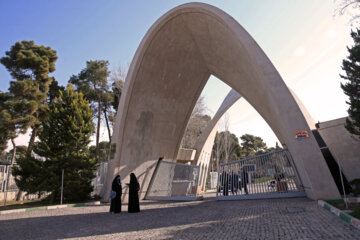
<point>30,65</point>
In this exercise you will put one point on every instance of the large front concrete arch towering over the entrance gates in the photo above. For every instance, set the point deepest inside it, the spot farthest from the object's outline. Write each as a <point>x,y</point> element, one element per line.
<point>168,72</point>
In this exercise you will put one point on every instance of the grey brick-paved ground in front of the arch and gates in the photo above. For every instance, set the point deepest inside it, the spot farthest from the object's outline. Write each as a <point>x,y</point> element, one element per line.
<point>297,218</point>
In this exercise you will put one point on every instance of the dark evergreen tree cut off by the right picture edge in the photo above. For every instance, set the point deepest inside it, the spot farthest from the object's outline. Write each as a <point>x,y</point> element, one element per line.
<point>351,88</point>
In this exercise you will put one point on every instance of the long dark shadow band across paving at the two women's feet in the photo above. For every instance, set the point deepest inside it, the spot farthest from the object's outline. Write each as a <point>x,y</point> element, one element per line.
<point>92,224</point>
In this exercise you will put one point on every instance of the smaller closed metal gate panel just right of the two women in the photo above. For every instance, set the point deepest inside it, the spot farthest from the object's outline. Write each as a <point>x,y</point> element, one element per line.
<point>174,181</point>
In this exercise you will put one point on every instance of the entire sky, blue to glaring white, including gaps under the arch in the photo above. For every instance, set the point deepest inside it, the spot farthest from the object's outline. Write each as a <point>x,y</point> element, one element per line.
<point>302,38</point>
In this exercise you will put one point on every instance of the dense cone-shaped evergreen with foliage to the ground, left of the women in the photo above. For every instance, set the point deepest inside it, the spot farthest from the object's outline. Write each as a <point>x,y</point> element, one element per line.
<point>63,144</point>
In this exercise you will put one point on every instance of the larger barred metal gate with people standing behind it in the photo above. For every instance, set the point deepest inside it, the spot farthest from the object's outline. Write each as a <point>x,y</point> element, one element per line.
<point>270,175</point>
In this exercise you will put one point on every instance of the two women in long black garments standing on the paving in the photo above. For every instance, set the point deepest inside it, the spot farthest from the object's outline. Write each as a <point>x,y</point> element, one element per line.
<point>134,187</point>
